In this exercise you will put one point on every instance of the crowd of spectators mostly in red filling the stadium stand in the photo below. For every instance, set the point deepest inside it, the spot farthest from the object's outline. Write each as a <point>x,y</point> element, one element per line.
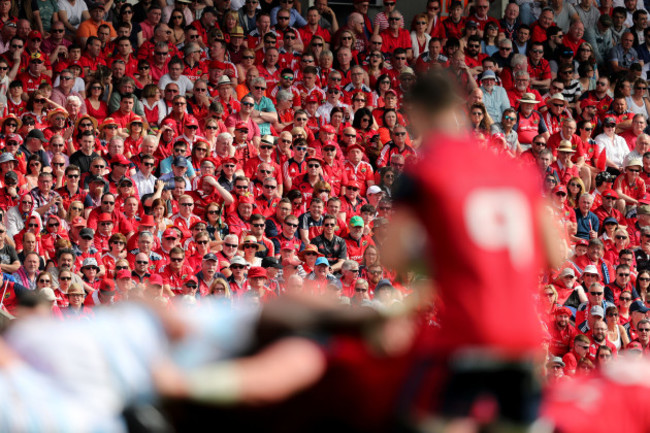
<point>177,150</point>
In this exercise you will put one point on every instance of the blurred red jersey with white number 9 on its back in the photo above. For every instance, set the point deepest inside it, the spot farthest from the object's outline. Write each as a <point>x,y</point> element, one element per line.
<point>476,217</point>
